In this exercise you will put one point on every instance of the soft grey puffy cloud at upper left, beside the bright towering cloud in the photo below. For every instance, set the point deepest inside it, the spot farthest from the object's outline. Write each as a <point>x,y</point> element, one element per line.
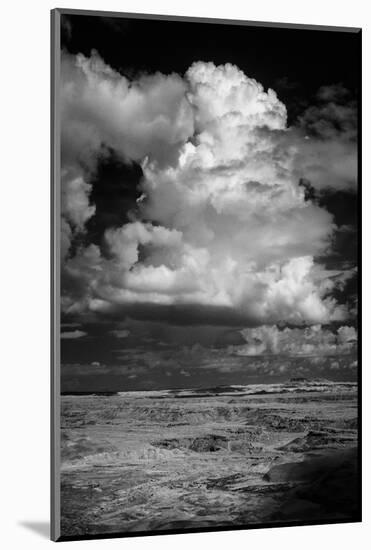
<point>147,116</point>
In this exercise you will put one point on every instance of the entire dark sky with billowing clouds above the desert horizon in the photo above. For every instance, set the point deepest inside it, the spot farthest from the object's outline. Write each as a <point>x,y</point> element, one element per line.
<point>209,192</point>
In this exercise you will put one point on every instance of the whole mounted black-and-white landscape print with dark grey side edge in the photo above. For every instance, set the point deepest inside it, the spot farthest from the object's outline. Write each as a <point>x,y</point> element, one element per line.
<point>205,194</point>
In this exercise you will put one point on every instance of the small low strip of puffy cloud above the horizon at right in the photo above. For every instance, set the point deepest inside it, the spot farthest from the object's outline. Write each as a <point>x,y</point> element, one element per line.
<point>313,340</point>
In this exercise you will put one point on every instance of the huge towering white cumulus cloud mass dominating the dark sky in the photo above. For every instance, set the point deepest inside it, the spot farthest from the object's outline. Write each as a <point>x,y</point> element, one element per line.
<point>222,219</point>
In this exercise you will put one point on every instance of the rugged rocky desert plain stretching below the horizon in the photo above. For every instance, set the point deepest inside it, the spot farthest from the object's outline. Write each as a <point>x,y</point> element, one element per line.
<point>166,460</point>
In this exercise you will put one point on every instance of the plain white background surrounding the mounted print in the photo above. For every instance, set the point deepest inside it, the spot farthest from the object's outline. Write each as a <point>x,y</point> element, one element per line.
<point>24,217</point>
